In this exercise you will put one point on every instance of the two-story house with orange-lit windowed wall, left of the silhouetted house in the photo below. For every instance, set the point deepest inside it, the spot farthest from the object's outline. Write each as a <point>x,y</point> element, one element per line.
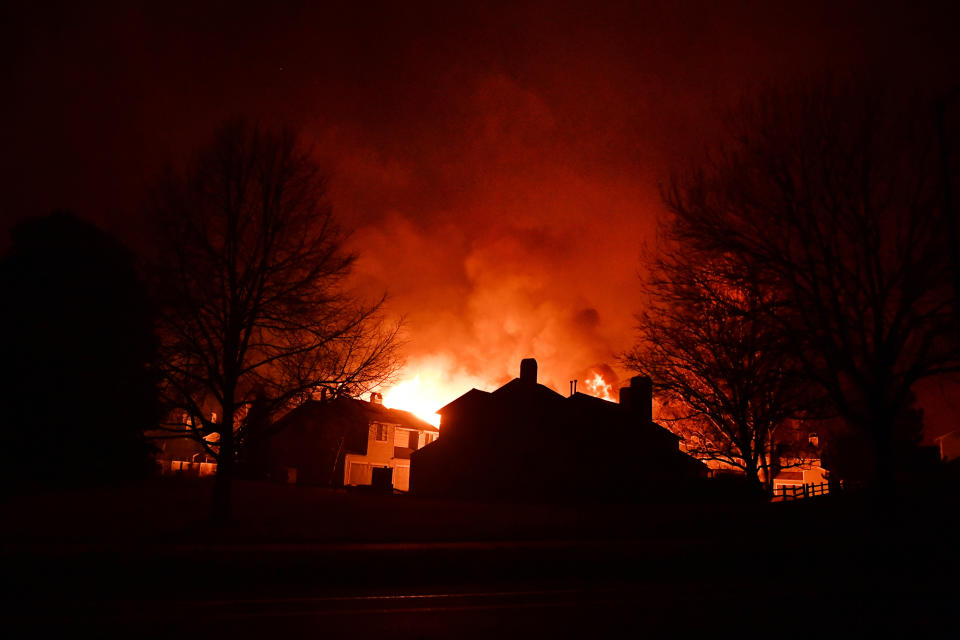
<point>346,442</point>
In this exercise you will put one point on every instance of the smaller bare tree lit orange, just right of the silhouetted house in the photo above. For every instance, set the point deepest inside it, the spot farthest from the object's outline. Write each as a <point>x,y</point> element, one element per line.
<point>728,385</point>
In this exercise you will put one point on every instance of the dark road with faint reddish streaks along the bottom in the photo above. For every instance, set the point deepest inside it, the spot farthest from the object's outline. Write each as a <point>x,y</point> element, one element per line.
<point>504,589</point>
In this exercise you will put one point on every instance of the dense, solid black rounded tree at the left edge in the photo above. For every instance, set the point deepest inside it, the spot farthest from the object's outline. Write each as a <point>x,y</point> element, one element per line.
<point>77,345</point>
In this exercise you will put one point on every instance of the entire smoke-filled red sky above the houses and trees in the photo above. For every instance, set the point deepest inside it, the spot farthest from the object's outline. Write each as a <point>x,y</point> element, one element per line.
<point>498,164</point>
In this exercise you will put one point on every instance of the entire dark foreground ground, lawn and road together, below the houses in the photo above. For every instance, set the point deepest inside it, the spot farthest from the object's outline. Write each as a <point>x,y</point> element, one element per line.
<point>142,562</point>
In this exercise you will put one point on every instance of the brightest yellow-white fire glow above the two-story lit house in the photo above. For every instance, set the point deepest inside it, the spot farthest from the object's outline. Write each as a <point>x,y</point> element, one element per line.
<point>432,383</point>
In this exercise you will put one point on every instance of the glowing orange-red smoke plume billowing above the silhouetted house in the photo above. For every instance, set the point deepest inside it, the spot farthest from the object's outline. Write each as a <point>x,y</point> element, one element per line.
<point>498,240</point>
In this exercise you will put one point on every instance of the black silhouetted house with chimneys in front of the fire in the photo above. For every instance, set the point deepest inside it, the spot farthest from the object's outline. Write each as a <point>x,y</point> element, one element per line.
<point>527,441</point>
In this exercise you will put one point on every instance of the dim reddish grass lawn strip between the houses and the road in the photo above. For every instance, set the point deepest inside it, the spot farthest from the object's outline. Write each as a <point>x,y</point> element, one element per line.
<point>167,510</point>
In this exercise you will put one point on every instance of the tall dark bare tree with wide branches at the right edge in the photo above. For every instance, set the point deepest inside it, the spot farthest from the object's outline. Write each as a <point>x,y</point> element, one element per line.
<point>830,200</point>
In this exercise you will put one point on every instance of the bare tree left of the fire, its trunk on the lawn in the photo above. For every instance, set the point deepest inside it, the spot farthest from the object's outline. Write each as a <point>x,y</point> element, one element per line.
<point>252,279</point>
